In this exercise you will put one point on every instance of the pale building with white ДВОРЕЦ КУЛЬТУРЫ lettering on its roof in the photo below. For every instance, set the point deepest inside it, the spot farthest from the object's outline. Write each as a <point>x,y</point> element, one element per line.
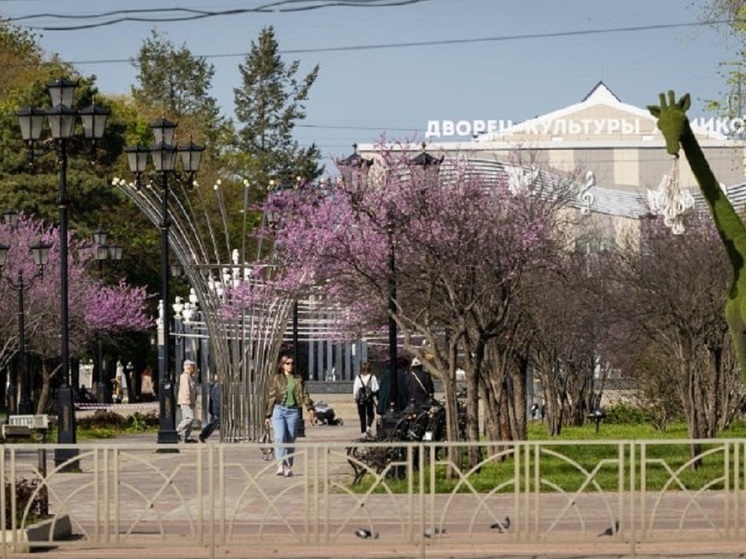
<point>615,147</point>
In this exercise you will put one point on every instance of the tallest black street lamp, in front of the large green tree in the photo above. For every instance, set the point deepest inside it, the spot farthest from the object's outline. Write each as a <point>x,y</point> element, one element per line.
<point>62,118</point>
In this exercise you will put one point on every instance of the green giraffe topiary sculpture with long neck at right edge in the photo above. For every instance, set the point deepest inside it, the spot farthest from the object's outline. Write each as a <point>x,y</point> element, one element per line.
<point>674,125</point>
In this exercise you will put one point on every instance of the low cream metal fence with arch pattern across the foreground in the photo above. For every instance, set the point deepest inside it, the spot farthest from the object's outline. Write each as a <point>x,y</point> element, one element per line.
<point>215,497</point>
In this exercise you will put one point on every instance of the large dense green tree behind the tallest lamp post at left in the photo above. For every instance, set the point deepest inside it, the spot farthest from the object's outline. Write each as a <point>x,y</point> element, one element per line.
<point>34,189</point>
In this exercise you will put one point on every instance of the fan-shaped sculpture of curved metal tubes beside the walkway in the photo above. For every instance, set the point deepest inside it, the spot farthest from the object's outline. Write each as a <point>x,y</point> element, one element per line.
<point>244,346</point>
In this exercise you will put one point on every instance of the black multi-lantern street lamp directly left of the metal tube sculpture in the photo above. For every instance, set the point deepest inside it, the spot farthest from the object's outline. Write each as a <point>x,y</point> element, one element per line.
<point>163,153</point>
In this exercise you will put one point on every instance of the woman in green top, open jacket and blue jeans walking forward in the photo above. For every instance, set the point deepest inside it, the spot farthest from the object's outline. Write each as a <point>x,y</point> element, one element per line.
<point>287,393</point>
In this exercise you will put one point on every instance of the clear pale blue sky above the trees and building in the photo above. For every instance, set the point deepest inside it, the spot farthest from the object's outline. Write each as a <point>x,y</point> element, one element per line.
<point>389,69</point>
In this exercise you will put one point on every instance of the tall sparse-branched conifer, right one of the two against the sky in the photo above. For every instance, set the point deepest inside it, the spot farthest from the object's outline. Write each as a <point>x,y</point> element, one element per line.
<point>269,103</point>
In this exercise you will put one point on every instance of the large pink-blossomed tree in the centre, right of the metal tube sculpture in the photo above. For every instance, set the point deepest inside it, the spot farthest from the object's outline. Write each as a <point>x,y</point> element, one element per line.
<point>462,243</point>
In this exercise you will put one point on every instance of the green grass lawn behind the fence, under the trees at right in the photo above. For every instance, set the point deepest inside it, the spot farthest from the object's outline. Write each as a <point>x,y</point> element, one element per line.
<point>606,461</point>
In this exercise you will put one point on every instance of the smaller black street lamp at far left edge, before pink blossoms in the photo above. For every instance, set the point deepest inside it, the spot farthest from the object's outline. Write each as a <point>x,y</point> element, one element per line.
<point>40,253</point>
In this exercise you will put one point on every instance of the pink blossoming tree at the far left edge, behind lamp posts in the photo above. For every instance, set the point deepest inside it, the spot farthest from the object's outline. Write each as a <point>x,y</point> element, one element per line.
<point>94,308</point>
